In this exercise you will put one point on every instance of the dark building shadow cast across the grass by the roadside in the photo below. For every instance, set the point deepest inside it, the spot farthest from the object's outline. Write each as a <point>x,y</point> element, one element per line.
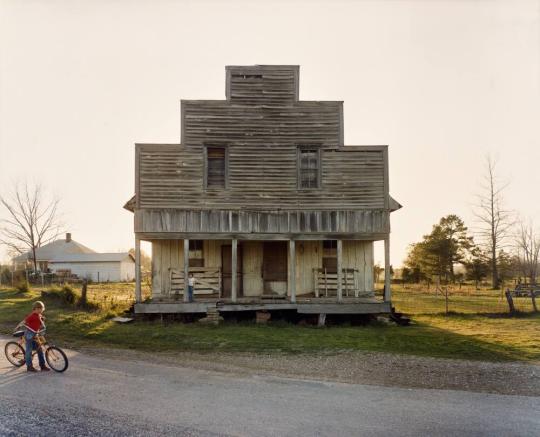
<point>420,339</point>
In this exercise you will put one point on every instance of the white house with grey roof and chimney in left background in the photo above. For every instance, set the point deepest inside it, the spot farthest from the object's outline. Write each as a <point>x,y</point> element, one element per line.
<point>67,255</point>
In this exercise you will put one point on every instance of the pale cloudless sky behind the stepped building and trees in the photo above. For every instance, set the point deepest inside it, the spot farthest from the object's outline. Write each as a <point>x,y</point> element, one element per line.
<point>443,83</point>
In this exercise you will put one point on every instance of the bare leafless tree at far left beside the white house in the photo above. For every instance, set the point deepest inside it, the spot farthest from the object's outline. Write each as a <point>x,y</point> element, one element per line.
<point>32,220</point>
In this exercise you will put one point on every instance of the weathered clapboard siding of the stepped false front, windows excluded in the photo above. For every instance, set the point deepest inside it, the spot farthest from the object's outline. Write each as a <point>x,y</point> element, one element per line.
<point>261,124</point>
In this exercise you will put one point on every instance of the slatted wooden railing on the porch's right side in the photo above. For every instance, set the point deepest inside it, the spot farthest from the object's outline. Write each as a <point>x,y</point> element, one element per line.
<point>325,283</point>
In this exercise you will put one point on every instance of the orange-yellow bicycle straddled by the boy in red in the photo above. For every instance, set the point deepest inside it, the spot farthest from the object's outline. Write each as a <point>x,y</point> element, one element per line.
<point>55,357</point>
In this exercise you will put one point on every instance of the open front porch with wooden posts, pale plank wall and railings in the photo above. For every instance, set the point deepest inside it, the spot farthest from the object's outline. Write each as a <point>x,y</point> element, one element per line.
<point>307,276</point>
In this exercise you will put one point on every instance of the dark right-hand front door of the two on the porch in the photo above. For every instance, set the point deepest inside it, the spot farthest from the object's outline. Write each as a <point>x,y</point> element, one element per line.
<point>275,267</point>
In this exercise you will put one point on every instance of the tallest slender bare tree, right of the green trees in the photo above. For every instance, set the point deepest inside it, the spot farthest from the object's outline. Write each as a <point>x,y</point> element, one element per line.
<point>495,221</point>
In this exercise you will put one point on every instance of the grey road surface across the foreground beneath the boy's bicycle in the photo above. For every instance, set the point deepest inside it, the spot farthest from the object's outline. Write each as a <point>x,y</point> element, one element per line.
<point>103,396</point>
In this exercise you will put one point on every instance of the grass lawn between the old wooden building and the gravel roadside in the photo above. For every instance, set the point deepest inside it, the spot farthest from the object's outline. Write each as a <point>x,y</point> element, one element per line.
<point>469,335</point>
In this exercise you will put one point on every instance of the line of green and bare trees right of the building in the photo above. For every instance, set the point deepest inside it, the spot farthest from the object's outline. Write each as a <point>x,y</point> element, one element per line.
<point>502,247</point>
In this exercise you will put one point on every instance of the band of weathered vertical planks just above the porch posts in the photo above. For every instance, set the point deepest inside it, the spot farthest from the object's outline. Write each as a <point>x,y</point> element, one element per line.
<point>359,224</point>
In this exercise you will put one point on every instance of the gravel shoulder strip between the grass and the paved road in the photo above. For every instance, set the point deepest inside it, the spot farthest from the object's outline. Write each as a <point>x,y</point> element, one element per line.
<point>370,368</point>
